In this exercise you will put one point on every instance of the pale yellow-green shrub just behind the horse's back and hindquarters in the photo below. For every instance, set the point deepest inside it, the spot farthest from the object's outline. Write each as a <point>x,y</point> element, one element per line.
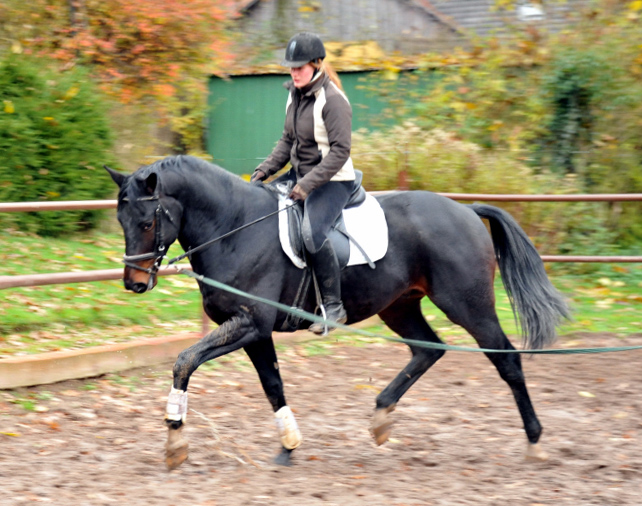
<point>438,161</point>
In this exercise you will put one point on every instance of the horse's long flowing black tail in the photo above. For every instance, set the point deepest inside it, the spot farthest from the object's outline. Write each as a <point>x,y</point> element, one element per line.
<point>535,301</point>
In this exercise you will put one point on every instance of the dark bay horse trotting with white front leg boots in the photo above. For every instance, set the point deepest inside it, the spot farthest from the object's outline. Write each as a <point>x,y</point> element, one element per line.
<point>437,248</point>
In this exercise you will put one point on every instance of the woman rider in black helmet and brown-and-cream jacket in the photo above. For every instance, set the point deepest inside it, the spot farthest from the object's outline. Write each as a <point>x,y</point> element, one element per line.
<point>316,140</point>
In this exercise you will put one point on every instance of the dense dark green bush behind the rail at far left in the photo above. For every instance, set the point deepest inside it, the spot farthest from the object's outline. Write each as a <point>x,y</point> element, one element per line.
<point>54,139</point>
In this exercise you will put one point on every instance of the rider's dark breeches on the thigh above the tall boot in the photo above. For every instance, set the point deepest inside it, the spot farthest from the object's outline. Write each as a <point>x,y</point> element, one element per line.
<point>321,210</point>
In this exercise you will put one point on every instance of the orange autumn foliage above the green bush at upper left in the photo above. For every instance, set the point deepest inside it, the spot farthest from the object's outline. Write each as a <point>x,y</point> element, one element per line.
<point>129,43</point>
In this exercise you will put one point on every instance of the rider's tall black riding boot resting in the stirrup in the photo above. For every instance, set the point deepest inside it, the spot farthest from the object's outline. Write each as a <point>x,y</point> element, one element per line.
<point>328,273</point>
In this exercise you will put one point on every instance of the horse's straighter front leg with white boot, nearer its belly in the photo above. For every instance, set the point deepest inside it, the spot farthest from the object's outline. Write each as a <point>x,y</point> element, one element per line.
<point>263,357</point>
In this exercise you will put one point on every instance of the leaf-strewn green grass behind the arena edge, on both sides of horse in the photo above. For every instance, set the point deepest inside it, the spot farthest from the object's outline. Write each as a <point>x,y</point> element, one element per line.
<point>56,317</point>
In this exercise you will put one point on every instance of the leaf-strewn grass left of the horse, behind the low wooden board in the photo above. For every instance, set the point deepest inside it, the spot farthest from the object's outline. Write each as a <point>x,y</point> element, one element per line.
<point>54,317</point>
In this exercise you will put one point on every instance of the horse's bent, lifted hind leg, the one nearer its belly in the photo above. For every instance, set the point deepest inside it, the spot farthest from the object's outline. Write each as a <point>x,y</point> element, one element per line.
<point>405,318</point>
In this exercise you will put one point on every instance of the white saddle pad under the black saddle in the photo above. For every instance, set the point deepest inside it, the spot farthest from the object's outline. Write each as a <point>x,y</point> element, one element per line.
<point>365,223</point>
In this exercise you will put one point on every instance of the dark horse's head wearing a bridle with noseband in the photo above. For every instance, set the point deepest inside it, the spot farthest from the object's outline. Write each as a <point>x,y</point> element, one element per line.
<point>150,221</point>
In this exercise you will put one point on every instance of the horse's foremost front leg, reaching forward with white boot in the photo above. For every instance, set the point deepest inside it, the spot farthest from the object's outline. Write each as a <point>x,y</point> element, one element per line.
<point>237,332</point>
